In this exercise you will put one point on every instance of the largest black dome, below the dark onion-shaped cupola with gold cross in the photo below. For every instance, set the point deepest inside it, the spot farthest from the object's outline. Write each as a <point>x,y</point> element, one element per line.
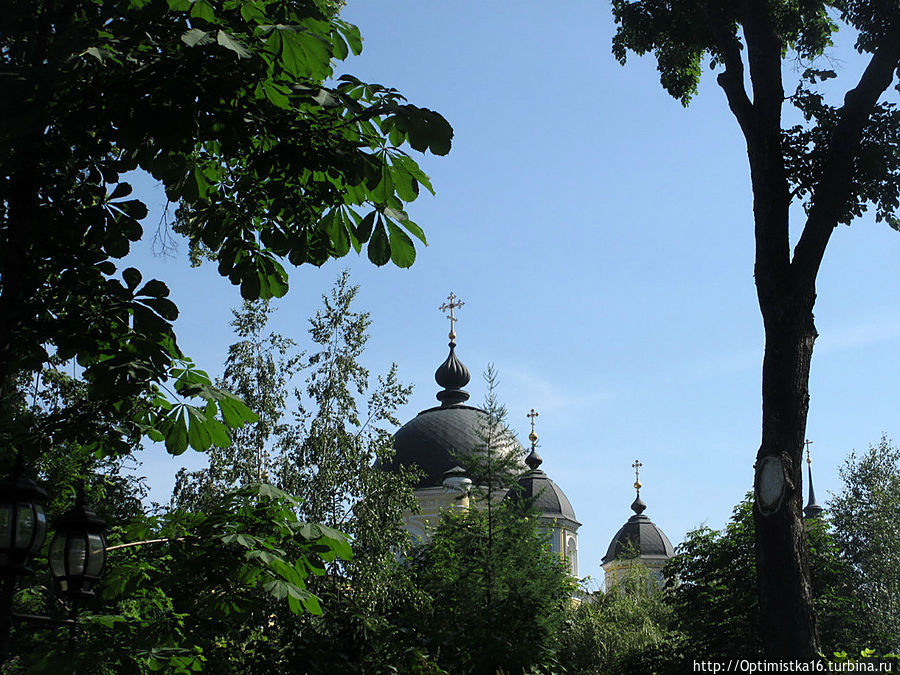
<point>437,440</point>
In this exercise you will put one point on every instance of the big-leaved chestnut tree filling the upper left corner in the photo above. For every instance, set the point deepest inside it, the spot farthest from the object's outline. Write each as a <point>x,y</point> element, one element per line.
<point>231,105</point>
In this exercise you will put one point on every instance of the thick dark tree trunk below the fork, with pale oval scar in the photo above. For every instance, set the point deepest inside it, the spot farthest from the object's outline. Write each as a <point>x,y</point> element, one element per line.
<point>788,619</point>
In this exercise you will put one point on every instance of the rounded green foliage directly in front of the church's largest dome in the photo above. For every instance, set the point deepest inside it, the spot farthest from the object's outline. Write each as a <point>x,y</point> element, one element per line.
<point>497,595</point>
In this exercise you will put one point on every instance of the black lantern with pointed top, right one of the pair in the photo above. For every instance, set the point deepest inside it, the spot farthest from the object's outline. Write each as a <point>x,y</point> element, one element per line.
<point>78,550</point>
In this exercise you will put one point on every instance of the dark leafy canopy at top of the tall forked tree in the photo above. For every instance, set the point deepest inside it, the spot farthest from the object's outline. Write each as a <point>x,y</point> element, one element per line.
<point>685,34</point>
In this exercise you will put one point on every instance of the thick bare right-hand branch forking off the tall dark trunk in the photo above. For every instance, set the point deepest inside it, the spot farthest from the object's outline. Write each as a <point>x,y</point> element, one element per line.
<point>833,189</point>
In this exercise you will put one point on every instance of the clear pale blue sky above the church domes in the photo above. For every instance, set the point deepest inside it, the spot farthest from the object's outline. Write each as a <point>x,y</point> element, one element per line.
<point>601,238</point>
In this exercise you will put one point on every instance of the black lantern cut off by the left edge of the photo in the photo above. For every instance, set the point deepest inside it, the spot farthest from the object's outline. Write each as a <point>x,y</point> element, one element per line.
<point>23,524</point>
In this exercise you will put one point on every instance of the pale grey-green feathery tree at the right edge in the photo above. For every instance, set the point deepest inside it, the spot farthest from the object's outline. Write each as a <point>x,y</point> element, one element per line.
<point>864,514</point>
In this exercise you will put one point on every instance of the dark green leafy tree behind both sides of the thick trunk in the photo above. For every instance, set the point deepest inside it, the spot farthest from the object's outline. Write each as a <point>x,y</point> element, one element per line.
<point>716,608</point>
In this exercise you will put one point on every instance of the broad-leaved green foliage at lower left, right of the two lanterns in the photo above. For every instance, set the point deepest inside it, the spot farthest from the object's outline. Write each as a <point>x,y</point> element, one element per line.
<point>186,585</point>
